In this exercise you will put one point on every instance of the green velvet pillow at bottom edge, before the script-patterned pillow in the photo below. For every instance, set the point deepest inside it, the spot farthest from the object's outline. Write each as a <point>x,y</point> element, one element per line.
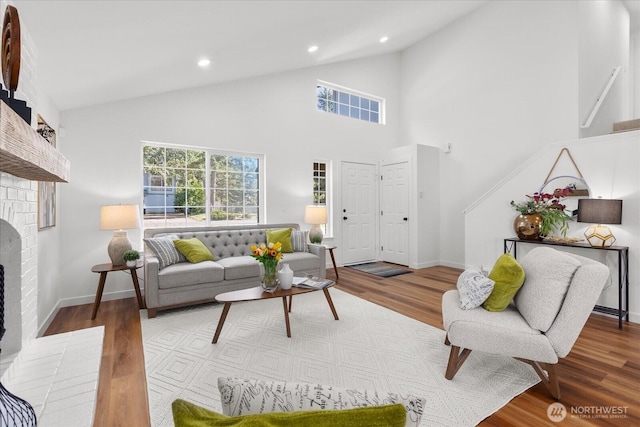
<point>187,414</point>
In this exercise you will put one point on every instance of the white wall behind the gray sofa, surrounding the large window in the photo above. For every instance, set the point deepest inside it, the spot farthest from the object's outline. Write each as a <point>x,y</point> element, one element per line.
<point>274,115</point>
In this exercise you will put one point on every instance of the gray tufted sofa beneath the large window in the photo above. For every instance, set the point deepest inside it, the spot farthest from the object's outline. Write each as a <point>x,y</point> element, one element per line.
<point>233,268</point>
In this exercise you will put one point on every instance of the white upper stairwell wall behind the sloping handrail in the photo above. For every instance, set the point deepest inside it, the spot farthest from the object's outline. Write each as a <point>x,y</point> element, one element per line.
<point>604,45</point>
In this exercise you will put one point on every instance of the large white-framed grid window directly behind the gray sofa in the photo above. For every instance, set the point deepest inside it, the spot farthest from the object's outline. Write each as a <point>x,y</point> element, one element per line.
<point>197,187</point>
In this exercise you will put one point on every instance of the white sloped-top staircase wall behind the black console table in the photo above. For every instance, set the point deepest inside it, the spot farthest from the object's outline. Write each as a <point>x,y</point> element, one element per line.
<point>615,175</point>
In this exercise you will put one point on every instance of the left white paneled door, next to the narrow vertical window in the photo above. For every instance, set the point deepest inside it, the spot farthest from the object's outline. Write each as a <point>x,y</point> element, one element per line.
<point>358,213</point>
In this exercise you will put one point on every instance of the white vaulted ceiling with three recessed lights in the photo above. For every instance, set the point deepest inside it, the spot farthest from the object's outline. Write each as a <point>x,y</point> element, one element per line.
<point>92,52</point>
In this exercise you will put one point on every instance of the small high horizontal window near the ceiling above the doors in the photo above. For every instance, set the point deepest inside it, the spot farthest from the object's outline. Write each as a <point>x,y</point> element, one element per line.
<point>349,103</point>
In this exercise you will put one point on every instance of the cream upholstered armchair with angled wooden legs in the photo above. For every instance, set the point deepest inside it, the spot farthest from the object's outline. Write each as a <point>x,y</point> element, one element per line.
<point>540,325</point>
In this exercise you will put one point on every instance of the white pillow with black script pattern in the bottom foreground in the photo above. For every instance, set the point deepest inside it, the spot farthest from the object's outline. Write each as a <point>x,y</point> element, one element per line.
<point>252,396</point>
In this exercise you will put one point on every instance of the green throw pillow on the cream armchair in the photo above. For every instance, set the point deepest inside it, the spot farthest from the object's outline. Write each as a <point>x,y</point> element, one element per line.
<point>509,277</point>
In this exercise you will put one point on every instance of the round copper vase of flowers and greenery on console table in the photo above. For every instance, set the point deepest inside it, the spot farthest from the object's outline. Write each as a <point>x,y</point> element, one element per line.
<point>542,214</point>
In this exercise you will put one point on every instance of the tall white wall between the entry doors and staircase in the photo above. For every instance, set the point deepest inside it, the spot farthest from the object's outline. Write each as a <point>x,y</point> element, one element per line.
<point>497,84</point>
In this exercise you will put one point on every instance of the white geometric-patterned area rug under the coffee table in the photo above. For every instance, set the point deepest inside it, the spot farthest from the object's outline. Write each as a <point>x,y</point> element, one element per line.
<point>370,347</point>
